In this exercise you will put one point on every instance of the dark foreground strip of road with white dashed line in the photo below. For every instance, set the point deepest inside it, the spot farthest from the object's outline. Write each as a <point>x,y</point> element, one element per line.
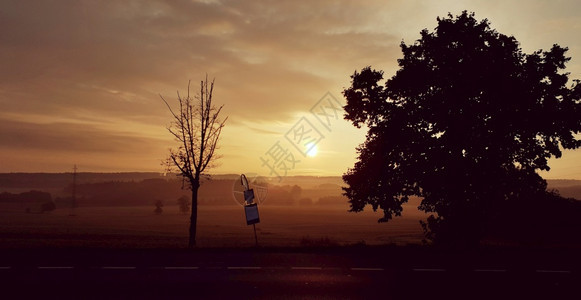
<point>358,272</point>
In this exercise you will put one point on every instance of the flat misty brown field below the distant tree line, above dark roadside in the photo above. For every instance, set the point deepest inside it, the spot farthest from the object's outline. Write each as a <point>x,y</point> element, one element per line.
<point>218,226</point>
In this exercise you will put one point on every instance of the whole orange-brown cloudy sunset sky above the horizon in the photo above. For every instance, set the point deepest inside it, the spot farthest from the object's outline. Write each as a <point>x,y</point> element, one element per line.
<point>80,80</point>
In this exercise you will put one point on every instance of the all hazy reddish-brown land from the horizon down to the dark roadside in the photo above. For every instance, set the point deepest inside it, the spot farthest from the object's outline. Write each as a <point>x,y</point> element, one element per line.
<point>118,210</point>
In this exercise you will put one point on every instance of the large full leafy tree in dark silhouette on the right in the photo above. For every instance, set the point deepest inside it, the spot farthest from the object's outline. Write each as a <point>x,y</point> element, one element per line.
<point>465,123</point>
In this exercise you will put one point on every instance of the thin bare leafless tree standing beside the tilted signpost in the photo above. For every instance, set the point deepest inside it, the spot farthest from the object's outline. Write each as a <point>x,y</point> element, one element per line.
<point>197,127</point>
